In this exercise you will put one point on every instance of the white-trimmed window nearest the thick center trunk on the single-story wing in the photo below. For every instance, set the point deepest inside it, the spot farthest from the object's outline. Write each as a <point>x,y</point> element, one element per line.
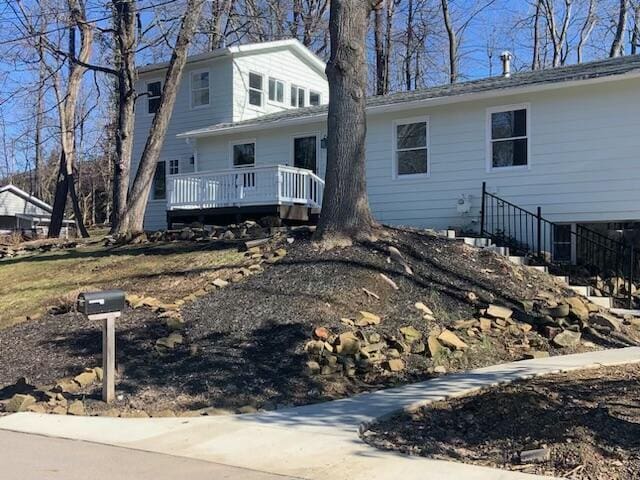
<point>411,156</point>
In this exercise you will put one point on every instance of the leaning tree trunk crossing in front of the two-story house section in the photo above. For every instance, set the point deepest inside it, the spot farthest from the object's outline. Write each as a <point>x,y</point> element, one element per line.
<point>132,221</point>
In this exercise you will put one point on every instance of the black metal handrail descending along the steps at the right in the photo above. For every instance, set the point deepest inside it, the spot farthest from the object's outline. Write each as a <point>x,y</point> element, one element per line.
<point>551,243</point>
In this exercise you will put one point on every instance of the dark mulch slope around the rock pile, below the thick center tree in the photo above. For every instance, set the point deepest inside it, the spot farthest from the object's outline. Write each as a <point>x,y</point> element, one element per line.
<point>244,344</point>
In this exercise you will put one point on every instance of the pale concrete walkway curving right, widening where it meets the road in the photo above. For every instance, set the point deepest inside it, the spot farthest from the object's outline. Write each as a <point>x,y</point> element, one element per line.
<point>316,441</point>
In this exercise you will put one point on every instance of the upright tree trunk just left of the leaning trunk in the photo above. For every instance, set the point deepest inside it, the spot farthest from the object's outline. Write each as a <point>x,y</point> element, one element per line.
<point>125,26</point>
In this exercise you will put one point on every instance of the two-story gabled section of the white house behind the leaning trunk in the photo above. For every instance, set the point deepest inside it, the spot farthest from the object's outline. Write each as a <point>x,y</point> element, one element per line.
<point>223,87</point>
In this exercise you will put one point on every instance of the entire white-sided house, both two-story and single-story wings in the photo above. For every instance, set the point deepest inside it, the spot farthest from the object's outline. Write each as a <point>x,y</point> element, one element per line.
<point>566,140</point>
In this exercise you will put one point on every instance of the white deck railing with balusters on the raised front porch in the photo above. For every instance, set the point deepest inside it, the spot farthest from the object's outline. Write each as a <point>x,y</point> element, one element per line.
<point>269,185</point>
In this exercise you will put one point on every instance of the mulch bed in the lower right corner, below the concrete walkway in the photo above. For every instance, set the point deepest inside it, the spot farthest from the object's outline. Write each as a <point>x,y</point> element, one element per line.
<point>588,421</point>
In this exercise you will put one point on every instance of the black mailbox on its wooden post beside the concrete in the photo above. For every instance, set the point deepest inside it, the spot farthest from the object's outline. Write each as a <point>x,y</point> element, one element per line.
<point>105,306</point>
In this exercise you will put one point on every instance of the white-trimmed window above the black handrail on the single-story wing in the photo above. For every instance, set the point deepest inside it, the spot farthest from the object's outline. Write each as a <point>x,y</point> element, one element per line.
<point>508,137</point>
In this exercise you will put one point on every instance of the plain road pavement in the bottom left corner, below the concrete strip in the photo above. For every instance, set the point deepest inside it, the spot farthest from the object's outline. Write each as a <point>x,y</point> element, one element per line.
<point>33,457</point>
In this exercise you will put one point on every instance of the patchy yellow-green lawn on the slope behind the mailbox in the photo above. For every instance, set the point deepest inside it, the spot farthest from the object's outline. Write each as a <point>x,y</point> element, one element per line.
<point>168,271</point>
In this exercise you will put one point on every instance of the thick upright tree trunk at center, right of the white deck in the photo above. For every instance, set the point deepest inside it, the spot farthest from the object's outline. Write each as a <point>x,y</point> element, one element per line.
<point>345,212</point>
